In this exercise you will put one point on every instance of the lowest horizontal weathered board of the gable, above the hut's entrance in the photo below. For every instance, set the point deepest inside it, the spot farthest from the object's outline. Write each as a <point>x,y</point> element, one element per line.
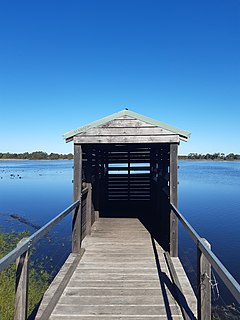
<point>127,139</point>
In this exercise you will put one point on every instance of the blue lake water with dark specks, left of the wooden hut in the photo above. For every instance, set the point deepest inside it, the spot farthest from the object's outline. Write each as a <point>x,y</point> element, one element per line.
<point>45,189</point>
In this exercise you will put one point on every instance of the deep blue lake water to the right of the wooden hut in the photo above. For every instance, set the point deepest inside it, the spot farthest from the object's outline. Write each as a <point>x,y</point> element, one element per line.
<point>209,197</point>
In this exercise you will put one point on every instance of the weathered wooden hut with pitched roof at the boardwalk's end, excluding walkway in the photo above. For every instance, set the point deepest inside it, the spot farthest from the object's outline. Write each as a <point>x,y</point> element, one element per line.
<point>129,162</point>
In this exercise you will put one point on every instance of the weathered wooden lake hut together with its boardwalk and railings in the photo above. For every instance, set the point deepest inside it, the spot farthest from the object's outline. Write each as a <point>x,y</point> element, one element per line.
<point>124,262</point>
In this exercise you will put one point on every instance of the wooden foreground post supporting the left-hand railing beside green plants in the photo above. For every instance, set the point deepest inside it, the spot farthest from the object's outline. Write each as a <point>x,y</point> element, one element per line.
<point>21,295</point>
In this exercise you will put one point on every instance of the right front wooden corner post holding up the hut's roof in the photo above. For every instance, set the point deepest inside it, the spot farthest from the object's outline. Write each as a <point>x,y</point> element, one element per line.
<point>173,199</point>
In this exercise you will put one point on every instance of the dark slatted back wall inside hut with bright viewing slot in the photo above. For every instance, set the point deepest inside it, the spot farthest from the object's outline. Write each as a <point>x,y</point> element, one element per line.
<point>126,182</point>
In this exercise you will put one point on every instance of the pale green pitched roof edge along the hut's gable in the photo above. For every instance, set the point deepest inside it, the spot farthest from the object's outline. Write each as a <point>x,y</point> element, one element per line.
<point>182,133</point>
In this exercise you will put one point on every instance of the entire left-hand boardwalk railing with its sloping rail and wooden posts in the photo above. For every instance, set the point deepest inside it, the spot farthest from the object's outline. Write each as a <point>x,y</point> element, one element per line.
<point>21,253</point>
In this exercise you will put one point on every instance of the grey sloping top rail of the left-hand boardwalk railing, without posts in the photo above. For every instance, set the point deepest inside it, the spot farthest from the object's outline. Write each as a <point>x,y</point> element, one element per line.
<point>18,251</point>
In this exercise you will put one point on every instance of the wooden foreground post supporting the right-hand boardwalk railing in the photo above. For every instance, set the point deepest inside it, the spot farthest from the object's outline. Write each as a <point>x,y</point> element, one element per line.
<point>203,284</point>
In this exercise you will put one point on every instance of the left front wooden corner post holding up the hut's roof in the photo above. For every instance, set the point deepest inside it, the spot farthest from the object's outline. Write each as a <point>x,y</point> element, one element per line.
<point>77,189</point>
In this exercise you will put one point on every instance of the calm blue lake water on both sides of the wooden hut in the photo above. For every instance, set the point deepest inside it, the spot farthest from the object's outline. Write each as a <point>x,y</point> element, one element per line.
<point>209,197</point>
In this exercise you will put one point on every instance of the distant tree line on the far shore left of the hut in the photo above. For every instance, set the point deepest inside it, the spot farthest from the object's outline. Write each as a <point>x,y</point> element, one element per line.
<point>36,155</point>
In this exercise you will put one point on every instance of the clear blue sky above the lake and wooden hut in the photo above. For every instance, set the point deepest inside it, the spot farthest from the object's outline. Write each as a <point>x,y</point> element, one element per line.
<point>66,63</point>
